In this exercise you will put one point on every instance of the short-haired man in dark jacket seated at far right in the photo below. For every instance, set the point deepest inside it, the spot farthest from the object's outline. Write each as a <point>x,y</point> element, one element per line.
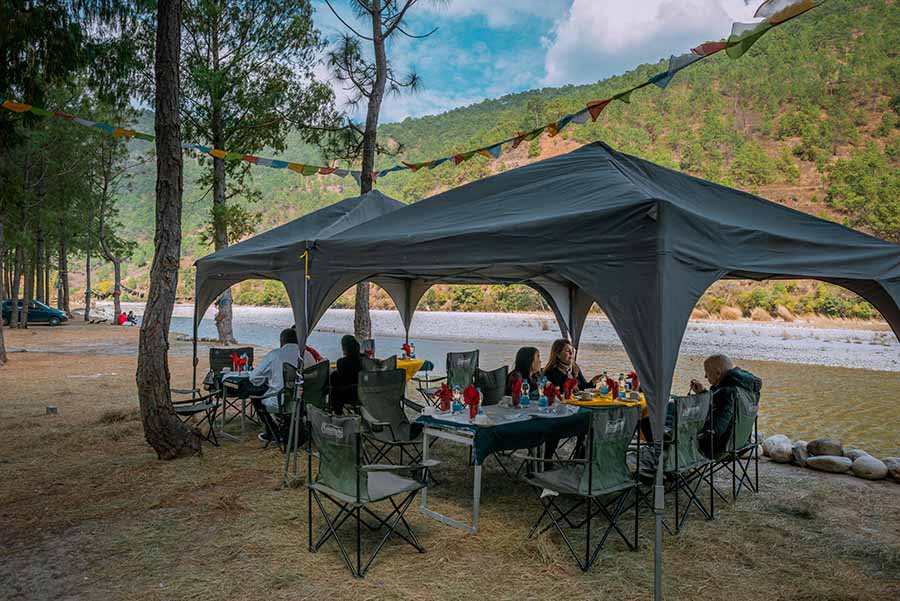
<point>731,386</point>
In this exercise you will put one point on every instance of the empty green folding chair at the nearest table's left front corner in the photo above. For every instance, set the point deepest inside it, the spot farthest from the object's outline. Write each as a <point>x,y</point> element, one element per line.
<point>353,486</point>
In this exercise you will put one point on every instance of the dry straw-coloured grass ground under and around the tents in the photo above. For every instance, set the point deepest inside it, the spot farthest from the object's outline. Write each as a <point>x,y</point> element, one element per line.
<point>88,512</point>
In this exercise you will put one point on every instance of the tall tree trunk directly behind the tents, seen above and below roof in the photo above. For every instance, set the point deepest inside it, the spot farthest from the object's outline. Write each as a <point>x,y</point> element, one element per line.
<point>362,319</point>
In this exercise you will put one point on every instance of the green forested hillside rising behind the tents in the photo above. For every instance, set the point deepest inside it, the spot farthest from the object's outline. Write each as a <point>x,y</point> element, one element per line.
<point>808,117</point>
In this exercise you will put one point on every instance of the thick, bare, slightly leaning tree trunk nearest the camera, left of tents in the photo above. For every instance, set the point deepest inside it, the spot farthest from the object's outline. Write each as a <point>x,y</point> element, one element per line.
<point>168,436</point>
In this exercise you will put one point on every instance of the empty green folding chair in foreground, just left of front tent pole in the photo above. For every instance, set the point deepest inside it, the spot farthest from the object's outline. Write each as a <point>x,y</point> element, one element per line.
<point>601,484</point>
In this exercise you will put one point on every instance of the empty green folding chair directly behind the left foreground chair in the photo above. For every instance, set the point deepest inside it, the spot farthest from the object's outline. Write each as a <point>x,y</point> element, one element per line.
<point>381,407</point>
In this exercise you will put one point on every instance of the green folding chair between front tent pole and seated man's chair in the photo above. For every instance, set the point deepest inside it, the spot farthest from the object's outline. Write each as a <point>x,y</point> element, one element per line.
<point>685,466</point>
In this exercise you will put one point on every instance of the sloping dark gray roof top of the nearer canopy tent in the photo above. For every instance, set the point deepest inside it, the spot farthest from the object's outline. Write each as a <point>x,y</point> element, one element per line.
<point>554,207</point>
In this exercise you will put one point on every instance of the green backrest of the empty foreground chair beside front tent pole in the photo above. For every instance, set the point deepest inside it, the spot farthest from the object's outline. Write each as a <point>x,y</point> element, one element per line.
<point>612,430</point>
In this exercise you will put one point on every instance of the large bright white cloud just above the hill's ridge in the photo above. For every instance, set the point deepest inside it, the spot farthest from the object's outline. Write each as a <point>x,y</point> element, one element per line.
<point>597,39</point>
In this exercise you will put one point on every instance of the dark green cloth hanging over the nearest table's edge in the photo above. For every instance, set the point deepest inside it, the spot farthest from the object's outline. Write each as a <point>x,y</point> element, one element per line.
<point>516,435</point>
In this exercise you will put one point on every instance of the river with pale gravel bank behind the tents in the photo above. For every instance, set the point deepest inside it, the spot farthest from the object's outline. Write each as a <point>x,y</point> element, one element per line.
<point>818,382</point>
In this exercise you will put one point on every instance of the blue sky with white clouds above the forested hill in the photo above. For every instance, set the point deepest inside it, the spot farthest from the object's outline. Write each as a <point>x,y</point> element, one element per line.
<point>488,48</point>
